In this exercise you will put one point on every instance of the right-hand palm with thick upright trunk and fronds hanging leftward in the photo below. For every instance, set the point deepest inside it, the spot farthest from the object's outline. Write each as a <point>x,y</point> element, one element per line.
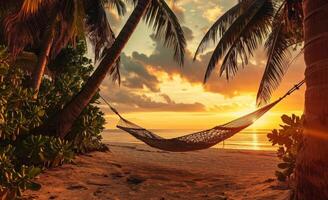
<point>242,29</point>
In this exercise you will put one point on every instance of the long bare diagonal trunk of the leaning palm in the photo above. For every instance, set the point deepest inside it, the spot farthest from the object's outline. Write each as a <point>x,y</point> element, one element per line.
<point>61,123</point>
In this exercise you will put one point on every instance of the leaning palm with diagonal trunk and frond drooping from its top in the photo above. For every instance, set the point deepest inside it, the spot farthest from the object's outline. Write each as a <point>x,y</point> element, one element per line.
<point>157,14</point>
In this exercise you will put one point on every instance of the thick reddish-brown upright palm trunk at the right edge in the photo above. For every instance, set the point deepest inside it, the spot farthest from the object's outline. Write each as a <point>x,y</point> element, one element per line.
<point>312,163</point>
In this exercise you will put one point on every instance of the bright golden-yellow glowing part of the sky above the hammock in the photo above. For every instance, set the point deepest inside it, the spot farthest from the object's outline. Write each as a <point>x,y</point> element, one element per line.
<point>218,109</point>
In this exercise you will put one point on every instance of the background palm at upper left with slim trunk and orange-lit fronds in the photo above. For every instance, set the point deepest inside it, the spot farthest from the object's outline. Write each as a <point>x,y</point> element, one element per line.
<point>51,24</point>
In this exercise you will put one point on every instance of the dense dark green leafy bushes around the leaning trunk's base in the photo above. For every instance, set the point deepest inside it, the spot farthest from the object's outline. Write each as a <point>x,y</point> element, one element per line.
<point>24,155</point>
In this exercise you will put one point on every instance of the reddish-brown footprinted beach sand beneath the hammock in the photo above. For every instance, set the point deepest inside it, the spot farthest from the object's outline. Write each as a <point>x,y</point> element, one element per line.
<point>136,171</point>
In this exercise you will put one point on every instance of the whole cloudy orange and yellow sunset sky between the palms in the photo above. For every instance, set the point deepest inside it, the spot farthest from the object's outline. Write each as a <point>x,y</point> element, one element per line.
<point>156,93</point>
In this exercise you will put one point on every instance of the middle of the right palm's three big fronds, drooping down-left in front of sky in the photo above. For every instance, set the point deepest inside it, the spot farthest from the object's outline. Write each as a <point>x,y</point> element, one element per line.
<point>242,38</point>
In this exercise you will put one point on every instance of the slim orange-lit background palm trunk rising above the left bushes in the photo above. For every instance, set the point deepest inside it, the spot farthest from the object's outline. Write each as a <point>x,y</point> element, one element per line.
<point>47,42</point>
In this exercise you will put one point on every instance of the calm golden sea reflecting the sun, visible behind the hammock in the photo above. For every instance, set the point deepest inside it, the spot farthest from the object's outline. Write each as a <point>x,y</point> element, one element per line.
<point>248,139</point>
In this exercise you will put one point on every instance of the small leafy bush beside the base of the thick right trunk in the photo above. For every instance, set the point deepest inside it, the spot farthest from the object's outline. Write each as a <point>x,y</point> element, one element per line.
<point>289,140</point>
